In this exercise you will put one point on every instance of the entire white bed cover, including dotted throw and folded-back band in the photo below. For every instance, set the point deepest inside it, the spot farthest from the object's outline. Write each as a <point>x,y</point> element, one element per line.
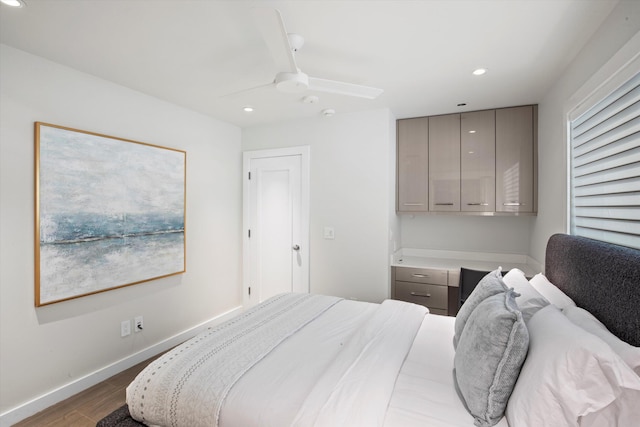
<point>330,363</point>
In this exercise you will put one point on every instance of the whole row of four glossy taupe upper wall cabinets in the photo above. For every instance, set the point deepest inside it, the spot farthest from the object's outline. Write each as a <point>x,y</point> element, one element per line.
<point>472,163</point>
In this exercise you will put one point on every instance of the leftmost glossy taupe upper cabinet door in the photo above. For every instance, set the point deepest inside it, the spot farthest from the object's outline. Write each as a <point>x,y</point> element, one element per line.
<point>413,165</point>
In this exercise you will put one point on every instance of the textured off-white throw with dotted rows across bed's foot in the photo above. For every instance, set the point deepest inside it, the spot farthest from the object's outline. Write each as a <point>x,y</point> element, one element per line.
<point>187,386</point>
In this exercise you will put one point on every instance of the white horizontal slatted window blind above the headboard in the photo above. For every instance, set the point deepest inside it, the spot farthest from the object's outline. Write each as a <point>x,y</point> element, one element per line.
<point>605,168</point>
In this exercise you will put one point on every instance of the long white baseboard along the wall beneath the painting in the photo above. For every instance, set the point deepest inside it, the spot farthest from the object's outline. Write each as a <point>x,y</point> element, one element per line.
<point>46,400</point>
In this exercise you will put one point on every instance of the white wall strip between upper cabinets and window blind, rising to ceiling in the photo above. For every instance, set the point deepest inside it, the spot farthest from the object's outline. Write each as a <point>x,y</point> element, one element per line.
<point>621,25</point>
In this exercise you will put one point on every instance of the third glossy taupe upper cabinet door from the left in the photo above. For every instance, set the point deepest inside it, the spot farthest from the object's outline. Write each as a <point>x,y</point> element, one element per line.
<point>478,161</point>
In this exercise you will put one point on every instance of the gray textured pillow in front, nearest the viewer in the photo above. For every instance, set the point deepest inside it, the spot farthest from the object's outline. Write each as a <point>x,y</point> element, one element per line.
<point>489,357</point>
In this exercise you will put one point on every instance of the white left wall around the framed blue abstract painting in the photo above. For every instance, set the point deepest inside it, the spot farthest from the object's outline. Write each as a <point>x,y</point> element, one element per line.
<point>45,348</point>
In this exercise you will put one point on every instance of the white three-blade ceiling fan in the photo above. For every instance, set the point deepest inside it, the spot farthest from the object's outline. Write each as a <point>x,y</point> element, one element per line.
<point>283,47</point>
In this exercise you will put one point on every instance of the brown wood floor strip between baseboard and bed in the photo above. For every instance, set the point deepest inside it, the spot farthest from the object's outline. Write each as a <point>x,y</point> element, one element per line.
<point>86,408</point>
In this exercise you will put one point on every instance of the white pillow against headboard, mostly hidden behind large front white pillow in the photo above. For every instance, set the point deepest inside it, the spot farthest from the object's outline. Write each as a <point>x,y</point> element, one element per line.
<point>588,322</point>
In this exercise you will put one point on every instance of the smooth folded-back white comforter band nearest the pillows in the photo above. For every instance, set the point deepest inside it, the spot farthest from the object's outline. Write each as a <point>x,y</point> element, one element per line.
<point>357,385</point>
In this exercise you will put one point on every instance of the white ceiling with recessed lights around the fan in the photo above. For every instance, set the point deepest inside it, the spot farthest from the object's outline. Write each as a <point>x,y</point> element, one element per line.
<point>421,53</point>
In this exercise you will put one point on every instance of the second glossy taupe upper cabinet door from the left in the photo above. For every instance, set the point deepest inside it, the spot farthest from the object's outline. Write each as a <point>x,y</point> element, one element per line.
<point>444,163</point>
